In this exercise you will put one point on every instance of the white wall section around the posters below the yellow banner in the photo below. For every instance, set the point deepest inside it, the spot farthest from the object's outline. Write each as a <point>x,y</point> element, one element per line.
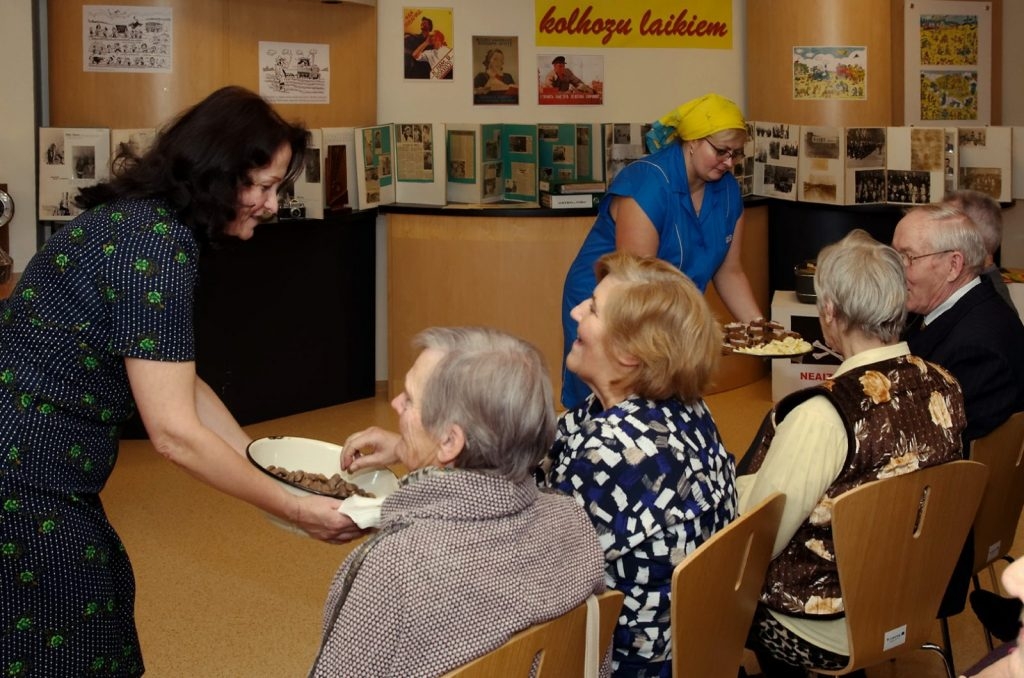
<point>641,86</point>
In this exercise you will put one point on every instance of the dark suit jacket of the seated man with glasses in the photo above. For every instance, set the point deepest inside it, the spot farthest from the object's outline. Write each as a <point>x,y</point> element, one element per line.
<point>982,342</point>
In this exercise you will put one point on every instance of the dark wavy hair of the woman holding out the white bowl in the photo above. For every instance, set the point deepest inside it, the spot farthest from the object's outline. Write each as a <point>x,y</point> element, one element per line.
<point>202,158</point>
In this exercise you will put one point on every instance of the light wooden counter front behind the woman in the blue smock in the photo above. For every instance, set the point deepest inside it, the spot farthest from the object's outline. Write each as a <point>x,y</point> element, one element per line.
<point>506,271</point>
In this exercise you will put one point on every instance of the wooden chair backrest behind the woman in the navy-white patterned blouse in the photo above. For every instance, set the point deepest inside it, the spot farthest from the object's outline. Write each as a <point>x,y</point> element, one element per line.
<point>715,594</point>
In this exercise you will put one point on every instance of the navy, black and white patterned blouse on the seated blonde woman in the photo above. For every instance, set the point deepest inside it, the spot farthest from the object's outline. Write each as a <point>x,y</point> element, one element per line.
<point>657,482</point>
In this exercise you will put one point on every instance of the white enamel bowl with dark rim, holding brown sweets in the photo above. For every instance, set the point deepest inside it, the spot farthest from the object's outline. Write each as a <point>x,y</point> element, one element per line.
<point>297,454</point>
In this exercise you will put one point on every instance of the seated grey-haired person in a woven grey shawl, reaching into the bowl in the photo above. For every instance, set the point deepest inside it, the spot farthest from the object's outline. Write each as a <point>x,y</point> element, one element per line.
<point>470,550</point>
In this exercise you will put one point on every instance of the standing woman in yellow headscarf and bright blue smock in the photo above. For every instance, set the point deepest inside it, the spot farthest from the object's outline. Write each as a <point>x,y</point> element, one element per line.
<point>681,204</point>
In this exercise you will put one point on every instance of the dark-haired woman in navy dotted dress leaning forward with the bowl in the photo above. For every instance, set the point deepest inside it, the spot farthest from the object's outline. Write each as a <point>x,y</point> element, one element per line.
<point>101,324</point>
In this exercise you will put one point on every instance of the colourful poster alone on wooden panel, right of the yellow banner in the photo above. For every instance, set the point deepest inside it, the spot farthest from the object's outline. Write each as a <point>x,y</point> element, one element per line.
<point>830,73</point>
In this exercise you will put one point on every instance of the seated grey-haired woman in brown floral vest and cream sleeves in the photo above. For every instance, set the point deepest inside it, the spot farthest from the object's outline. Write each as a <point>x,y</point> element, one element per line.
<point>884,413</point>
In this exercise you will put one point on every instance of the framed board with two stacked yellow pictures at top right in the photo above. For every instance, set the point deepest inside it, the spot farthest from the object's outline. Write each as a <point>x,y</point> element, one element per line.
<point>950,67</point>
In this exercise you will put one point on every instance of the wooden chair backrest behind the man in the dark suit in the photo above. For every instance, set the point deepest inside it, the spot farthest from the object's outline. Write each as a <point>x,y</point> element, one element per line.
<point>995,527</point>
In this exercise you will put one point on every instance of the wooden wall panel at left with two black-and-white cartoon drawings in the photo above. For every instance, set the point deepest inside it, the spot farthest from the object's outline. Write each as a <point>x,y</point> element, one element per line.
<point>216,45</point>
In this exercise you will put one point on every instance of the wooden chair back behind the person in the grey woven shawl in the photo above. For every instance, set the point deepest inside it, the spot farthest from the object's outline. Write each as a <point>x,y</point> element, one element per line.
<point>561,643</point>
